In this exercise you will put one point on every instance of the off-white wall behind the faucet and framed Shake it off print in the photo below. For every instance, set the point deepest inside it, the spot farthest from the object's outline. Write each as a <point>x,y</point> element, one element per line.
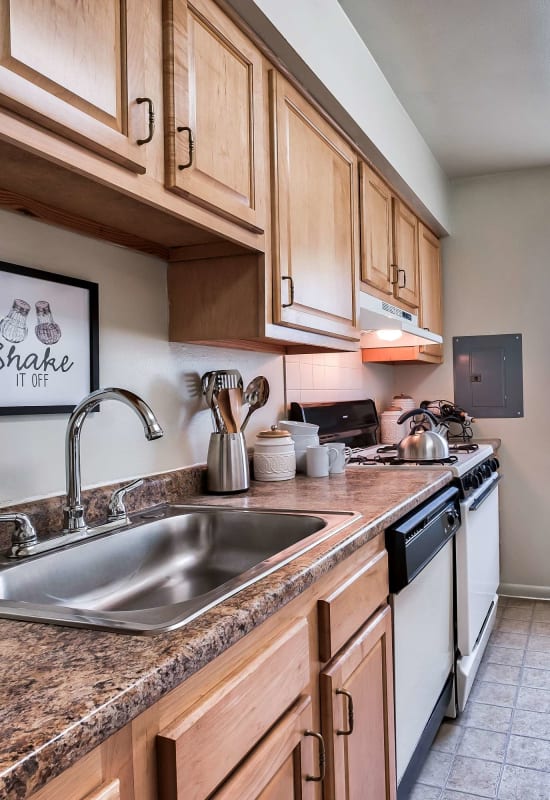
<point>135,354</point>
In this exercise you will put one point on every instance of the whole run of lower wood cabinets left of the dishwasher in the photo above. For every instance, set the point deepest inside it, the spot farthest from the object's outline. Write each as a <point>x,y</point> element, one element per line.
<point>270,718</point>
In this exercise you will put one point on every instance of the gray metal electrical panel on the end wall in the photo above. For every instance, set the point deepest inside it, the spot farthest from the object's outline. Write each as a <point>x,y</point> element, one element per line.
<point>488,375</point>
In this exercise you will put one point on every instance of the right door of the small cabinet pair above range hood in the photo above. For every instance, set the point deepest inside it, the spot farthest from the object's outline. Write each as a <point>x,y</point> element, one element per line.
<point>405,254</point>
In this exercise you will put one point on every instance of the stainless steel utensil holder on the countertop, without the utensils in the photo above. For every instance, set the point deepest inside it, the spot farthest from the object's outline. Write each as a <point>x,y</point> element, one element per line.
<point>227,463</point>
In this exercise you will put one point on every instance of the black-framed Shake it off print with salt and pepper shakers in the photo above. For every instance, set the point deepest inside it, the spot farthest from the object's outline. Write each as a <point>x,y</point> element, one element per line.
<point>49,343</point>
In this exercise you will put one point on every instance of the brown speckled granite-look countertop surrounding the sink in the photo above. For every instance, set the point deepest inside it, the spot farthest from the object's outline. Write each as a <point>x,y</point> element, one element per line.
<point>66,690</point>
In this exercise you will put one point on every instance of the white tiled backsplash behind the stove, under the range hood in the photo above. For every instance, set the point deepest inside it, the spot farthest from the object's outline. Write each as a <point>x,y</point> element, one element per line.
<point>329,377</point>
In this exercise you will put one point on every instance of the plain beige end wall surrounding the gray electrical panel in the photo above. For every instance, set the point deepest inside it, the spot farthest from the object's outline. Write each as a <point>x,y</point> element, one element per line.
<point>497,280</point>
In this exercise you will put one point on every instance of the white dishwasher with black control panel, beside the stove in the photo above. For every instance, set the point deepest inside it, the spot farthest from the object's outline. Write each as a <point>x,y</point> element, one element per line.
<point>421,564</point>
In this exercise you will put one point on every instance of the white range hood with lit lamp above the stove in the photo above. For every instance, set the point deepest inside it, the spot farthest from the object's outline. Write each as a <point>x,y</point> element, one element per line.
<point>384,325</point>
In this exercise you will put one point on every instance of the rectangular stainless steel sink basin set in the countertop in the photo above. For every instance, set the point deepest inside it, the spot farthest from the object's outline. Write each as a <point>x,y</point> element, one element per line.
<point>169,565</point>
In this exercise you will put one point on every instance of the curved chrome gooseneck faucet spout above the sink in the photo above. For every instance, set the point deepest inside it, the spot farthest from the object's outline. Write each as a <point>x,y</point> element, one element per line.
<point>74,512</point>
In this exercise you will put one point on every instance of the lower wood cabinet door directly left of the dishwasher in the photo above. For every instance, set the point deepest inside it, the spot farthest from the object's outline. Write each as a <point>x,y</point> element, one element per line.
<point>358,716</point>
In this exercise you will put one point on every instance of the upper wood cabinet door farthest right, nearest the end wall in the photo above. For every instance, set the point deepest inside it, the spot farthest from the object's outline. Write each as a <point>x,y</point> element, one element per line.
<point>429,263</point>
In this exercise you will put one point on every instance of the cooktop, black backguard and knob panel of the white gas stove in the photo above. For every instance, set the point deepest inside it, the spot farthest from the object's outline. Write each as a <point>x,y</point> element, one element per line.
<point>356,424</point>
